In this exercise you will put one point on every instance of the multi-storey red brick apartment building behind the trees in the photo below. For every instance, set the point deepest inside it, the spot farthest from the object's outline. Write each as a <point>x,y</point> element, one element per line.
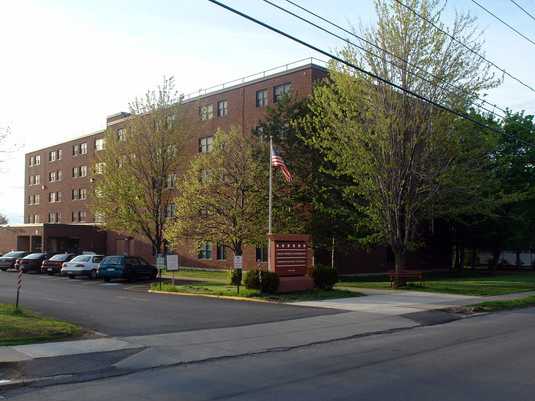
<point>58,178</point>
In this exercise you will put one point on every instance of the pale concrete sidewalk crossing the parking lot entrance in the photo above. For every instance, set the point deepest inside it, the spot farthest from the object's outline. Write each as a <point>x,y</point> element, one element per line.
<point>190,346</point>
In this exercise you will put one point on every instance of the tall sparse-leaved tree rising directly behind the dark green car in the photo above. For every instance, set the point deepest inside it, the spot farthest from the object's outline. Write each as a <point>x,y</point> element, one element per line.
<point>136,173</point>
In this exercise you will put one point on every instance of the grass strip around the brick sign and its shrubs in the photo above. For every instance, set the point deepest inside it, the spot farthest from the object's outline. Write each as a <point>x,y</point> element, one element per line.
<point>219,289</point>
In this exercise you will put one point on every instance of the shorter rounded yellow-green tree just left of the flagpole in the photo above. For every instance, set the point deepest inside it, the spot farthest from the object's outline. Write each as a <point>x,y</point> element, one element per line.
<point>223,197</point>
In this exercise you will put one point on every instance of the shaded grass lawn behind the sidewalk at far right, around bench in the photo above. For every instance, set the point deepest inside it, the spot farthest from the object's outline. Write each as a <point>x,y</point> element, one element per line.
<point>472,284</point>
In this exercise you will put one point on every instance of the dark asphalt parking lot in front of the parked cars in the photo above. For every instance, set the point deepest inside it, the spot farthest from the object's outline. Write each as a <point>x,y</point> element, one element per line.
<point>124,309</point>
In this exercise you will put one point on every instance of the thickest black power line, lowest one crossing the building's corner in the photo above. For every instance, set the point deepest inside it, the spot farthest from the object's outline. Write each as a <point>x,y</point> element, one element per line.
<point>357,68</point>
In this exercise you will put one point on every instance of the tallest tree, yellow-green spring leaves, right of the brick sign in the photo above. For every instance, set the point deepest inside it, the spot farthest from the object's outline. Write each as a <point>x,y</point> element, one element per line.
<point>397,150</point>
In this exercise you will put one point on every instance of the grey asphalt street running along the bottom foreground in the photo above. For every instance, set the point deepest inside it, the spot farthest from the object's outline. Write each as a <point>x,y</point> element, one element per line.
<point>488,358</point>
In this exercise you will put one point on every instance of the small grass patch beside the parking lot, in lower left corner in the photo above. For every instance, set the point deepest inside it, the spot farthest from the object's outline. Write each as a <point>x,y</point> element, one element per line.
<point>24,327</point>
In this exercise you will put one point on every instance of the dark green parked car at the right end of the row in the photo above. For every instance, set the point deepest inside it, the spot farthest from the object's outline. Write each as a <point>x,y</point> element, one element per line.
<point>126,267</point>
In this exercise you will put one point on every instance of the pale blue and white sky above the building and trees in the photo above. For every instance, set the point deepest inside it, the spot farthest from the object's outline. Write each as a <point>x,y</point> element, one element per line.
<point>68,63</point>
